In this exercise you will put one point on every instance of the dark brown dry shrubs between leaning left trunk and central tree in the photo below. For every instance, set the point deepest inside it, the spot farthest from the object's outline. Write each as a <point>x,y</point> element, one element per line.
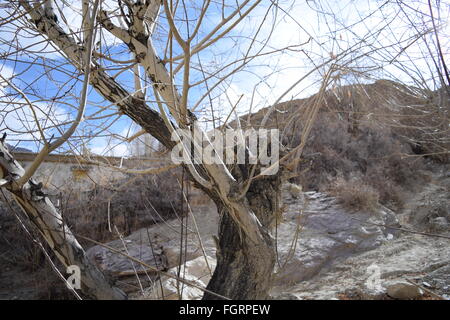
<point>134,203</point>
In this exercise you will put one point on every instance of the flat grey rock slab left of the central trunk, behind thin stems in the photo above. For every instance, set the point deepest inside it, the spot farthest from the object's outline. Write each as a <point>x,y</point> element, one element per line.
<point>158,245</point>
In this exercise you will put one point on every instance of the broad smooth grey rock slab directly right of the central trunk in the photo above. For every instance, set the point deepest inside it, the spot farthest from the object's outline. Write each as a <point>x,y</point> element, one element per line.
<point>326,232</point>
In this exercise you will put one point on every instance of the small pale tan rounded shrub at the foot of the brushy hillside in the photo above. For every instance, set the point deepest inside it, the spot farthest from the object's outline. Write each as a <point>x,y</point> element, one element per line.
<point>355,194</point>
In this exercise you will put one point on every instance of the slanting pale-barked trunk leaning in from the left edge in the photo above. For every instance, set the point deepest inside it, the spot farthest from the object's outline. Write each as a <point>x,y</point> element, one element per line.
<point>46,218</point>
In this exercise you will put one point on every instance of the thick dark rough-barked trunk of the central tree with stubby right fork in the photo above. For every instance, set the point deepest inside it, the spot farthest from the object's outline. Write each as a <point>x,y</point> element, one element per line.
<point>244,268</point>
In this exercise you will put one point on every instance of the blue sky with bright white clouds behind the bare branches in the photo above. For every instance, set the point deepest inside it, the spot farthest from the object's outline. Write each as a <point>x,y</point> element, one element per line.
<point>290,39</point>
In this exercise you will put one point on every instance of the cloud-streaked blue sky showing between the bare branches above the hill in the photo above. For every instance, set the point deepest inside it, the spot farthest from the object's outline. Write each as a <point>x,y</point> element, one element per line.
<point>258,85</point>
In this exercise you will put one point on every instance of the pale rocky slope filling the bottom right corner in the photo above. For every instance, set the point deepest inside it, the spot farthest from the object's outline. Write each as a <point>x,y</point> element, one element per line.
<point>423,259</point>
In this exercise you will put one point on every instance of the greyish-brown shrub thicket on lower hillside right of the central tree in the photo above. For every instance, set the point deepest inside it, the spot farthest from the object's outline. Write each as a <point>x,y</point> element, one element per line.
<point>372,153</point>
